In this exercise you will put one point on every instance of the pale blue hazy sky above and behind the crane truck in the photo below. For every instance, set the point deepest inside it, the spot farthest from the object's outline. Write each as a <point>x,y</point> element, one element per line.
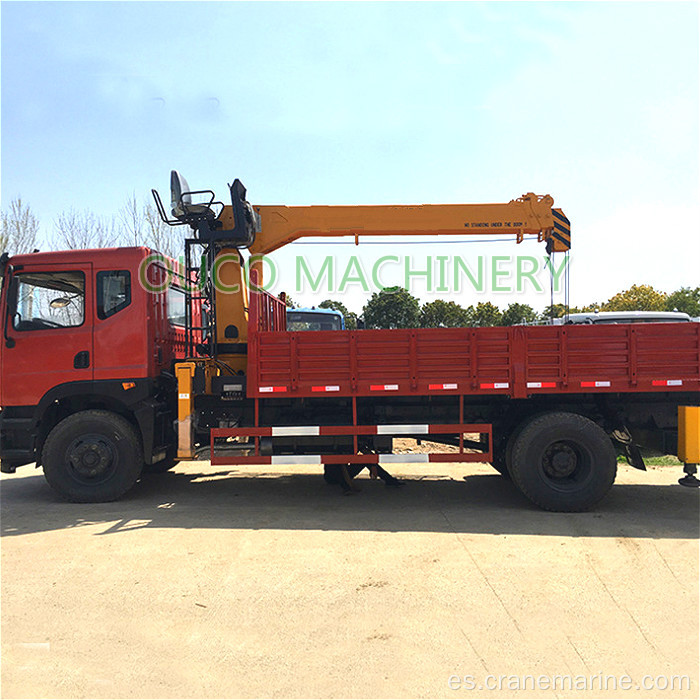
<point>373,103</point>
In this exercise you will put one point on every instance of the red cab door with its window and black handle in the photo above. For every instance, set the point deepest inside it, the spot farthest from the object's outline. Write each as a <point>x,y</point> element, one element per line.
<point>48,338</point>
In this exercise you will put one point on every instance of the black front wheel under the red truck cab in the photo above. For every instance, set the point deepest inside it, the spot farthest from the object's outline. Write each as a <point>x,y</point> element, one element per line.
<point>92,457</point>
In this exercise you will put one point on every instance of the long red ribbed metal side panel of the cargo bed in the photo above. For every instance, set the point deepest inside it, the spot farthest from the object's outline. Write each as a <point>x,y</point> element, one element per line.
<point>517,361</point>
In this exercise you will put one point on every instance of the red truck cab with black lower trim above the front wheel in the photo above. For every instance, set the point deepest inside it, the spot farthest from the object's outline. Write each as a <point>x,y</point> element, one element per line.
<point>88,331</point>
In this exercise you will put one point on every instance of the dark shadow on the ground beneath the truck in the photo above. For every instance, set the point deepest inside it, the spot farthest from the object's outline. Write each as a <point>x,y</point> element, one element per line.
<point>484,504</point>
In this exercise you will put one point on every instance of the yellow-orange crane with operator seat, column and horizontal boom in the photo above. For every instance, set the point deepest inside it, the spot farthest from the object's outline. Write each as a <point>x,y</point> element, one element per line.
<point>262,229</point>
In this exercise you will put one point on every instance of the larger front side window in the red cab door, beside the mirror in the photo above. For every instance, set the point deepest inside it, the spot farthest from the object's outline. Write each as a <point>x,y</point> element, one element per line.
<point>46,300</point>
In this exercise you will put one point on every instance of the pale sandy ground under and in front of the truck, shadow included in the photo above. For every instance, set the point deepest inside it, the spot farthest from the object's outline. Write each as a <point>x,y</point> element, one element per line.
<point>218,582</point>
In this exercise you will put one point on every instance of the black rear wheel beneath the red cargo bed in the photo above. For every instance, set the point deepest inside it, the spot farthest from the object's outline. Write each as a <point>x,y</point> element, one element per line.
<point>563,462</point>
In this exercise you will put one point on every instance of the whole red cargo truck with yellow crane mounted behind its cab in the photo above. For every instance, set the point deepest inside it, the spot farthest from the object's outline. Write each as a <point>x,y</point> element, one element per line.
<point>104,375</point>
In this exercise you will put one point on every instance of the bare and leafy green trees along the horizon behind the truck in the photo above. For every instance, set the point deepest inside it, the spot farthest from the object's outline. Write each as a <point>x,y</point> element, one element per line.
<point>138,223</point>
